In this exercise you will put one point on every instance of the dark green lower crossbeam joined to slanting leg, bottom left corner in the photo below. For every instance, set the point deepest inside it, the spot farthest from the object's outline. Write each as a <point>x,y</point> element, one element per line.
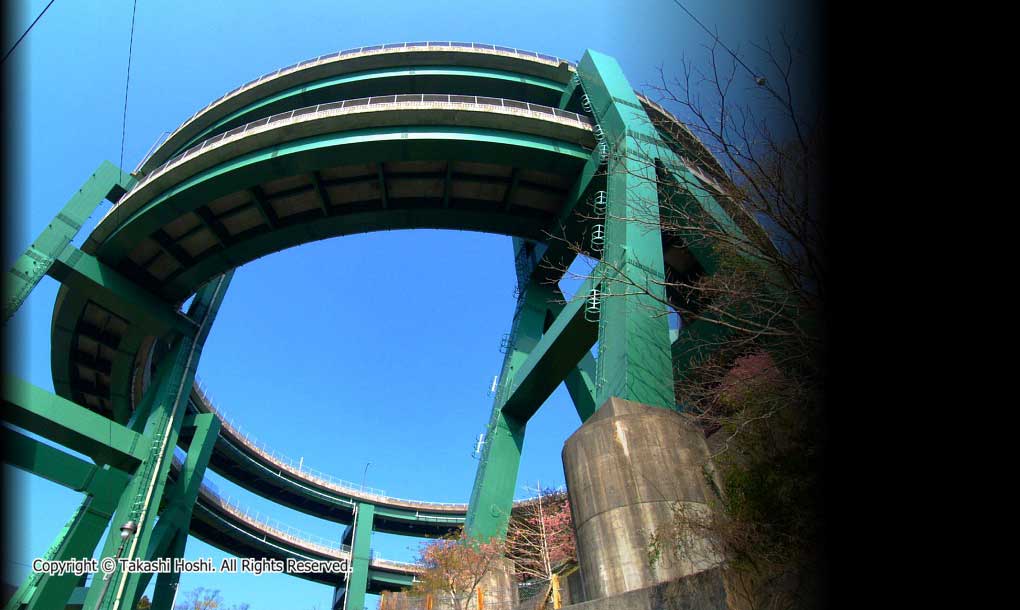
<point>82,533</point>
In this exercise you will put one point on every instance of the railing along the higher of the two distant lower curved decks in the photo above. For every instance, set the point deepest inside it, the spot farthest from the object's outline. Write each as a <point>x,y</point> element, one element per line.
<point>298,469</point>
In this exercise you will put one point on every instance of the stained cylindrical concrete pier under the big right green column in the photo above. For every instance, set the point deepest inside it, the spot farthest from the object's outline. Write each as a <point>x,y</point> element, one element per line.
<point>626,469</point>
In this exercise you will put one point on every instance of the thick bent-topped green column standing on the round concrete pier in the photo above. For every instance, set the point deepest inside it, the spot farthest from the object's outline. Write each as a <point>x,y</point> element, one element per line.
<point>634,331</point>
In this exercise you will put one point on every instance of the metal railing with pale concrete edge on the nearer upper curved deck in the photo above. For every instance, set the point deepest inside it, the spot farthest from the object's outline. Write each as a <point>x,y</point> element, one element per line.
<point>377,104</point>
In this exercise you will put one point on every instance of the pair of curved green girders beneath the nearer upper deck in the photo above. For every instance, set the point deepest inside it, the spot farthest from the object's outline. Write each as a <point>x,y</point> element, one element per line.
<point>308,156</point>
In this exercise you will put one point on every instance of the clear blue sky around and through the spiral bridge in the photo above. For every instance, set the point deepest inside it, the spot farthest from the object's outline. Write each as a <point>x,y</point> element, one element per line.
<point>377,348</point>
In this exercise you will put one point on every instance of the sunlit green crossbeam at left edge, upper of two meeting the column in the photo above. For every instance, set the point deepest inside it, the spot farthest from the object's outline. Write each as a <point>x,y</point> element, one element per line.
<point>72,426</point>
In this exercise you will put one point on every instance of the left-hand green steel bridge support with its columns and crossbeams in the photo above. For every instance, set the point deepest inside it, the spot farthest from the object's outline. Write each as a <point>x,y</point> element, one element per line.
<point>126,484</point>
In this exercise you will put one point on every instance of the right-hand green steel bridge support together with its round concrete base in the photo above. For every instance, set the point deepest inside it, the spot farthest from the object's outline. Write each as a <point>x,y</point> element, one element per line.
<point>635,373</point>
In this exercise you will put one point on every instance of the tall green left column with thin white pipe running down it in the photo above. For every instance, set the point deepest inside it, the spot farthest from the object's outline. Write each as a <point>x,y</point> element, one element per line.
<point>141,500</point>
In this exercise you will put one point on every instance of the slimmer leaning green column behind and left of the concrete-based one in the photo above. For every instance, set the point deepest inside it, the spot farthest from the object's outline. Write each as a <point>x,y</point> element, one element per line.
<point>492,496</point>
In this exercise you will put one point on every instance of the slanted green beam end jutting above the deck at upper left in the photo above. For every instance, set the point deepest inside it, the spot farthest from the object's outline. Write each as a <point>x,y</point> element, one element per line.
<point>109,182</point>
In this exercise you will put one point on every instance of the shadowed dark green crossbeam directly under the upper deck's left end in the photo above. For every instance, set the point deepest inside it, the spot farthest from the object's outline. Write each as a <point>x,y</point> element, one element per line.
<point>89,277</point>
